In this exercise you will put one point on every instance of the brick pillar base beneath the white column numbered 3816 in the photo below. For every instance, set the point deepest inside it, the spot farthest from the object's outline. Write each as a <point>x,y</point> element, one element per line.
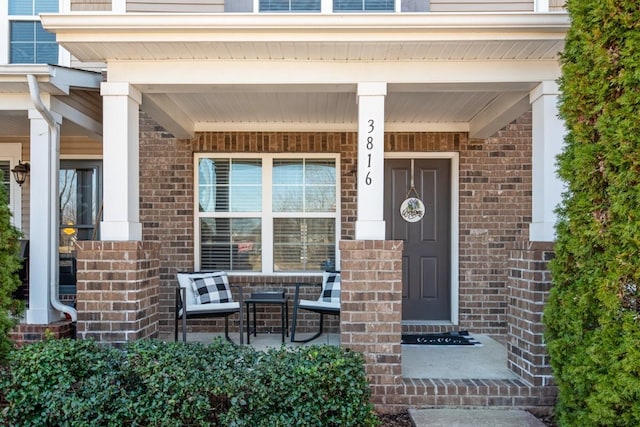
<point>371,313</point>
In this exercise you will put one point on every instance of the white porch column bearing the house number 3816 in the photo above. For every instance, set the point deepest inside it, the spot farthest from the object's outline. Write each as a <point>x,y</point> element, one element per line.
<point>370,223</point>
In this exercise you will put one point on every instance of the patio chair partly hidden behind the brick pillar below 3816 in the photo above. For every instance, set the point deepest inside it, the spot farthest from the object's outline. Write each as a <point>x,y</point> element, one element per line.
<point>328,303</point>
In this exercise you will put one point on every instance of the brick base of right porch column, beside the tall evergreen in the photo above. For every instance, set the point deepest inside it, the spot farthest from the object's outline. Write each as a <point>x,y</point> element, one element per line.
<point>529,286</point>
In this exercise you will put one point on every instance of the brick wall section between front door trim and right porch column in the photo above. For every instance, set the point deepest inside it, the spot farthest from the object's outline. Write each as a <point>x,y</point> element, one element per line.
<point>495,212</point>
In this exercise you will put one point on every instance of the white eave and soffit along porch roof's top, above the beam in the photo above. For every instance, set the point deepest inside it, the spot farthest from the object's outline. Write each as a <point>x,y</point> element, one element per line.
<point>339,37</point>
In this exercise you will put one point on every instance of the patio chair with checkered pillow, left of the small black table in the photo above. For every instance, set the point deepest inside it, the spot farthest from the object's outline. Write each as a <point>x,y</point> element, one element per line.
<point>201,295</point>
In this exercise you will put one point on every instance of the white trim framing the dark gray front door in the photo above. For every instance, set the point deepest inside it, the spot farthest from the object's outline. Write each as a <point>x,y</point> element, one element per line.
<point>455,201</point>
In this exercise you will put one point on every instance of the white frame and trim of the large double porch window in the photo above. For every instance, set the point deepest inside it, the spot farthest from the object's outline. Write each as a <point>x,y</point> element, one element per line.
<point>266,215</point>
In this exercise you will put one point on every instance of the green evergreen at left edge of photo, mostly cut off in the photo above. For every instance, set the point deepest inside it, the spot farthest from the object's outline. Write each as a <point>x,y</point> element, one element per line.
<point>10,263</point>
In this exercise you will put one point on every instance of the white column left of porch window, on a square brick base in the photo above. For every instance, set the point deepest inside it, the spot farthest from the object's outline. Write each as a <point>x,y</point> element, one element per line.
<point>120,148</point>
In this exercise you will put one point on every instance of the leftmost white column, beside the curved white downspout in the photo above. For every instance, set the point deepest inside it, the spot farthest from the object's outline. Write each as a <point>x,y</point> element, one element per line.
<point>43,218</point>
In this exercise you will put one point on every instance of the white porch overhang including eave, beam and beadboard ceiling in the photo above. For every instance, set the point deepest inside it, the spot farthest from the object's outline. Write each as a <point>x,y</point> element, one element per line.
<point>208,72</point>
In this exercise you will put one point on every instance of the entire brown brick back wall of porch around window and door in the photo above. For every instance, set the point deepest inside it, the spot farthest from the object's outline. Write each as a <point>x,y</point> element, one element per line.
<point>495,209</point>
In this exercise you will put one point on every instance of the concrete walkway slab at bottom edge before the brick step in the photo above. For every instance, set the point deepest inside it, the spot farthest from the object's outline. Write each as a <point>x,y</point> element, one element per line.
<point>473,418</point>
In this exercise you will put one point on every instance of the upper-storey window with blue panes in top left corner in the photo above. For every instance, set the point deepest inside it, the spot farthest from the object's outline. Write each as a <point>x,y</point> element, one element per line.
<point>29,42</point>
